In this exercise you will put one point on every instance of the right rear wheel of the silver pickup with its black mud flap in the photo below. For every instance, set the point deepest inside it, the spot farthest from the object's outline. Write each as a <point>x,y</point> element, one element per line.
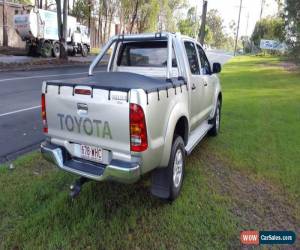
<point>167,182</point>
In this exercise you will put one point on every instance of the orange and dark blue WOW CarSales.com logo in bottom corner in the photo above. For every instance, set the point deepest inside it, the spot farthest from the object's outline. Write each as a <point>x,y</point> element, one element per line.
<point>267,237</point>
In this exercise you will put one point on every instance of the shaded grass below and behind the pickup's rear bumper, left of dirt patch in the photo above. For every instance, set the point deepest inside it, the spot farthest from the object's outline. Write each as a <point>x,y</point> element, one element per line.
<point>39,214</point>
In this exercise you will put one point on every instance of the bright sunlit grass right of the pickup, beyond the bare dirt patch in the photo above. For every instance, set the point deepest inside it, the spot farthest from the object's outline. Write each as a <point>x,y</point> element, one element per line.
<point>261,120</point>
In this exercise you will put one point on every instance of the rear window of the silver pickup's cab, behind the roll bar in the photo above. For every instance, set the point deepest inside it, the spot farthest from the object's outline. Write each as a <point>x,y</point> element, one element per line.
<point>145,54</point>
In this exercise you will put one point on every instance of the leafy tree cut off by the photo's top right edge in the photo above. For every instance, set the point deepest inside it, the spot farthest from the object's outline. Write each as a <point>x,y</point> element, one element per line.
<point>293,27</point>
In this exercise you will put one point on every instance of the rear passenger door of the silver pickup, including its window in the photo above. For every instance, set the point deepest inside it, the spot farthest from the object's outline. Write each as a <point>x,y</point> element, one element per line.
<point>196,102</point>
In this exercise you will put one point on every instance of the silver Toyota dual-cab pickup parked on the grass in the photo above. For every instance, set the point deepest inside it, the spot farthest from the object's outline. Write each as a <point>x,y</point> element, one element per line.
<point>158,98</point>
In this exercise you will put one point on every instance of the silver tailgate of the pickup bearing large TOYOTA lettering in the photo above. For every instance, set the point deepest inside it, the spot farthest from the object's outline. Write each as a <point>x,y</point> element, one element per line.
<point>95,120</point>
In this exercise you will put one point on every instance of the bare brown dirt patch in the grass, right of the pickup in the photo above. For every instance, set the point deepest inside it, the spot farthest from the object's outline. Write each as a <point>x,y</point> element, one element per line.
<point>258,204</point>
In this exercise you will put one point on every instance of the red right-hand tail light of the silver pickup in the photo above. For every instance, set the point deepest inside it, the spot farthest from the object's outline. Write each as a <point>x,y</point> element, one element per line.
<point>138,129</point>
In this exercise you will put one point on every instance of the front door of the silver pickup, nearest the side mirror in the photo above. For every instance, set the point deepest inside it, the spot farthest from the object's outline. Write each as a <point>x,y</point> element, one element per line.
<point>208,82</point>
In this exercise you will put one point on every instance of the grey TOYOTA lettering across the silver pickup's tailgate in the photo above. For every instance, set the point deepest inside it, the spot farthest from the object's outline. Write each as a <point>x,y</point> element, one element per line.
<point>85,125</point>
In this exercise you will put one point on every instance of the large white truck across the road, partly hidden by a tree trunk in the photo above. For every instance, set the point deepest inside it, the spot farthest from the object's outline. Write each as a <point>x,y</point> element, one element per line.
<point>38,28</point>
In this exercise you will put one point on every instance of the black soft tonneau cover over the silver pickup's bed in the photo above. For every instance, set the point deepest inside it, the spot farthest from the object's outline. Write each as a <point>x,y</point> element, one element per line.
<point>121,81</point>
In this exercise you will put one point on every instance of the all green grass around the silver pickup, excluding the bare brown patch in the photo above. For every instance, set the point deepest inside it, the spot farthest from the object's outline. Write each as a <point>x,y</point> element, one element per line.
<point>260,136</point>
